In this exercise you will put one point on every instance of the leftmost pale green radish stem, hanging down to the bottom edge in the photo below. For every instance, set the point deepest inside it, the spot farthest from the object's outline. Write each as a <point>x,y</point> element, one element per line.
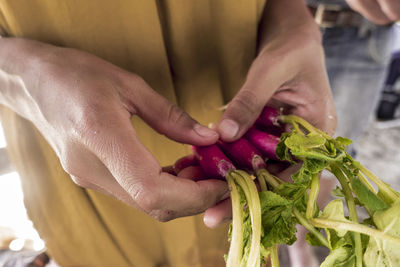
<point>236,247</point>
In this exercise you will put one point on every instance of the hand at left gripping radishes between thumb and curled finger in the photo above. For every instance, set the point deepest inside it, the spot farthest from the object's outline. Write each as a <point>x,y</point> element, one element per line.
<point>82,105</point>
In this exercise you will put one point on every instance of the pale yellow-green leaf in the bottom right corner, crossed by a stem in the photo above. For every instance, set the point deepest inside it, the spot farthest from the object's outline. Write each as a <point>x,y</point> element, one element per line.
<point>383,252</point>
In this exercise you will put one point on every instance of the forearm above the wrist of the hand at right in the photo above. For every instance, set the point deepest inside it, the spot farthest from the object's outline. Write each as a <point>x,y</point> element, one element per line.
<point>286,16</point>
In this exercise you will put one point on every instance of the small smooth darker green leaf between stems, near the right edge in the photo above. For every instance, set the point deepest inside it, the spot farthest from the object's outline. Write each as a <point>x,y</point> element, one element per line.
<point>366,197</point>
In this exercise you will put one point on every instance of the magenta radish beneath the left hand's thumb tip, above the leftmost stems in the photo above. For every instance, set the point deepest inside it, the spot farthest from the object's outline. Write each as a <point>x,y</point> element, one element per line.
<point>213,161</point>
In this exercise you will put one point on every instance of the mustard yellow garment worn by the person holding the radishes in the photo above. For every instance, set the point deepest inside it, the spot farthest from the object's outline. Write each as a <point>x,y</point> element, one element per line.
<point>196,53</point>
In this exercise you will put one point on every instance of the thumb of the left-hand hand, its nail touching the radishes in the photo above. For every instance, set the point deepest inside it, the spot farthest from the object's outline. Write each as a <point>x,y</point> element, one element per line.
<point>170,120</point>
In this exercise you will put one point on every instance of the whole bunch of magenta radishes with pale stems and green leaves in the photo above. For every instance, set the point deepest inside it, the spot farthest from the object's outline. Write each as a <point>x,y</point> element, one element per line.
<point>265,209</point>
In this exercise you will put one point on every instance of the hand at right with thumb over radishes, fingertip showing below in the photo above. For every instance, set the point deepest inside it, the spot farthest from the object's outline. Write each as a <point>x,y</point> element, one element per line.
<point>288,72</point>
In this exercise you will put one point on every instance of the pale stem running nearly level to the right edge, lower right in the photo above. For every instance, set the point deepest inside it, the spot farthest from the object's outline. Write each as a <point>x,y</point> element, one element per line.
<point>354,227</point>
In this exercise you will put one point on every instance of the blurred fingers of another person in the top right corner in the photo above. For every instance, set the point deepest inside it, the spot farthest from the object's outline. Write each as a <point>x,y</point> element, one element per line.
<point>378,11</point>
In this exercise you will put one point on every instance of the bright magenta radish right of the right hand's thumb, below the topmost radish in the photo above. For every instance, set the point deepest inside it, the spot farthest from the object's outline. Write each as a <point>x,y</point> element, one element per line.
<point>264,142</point>
